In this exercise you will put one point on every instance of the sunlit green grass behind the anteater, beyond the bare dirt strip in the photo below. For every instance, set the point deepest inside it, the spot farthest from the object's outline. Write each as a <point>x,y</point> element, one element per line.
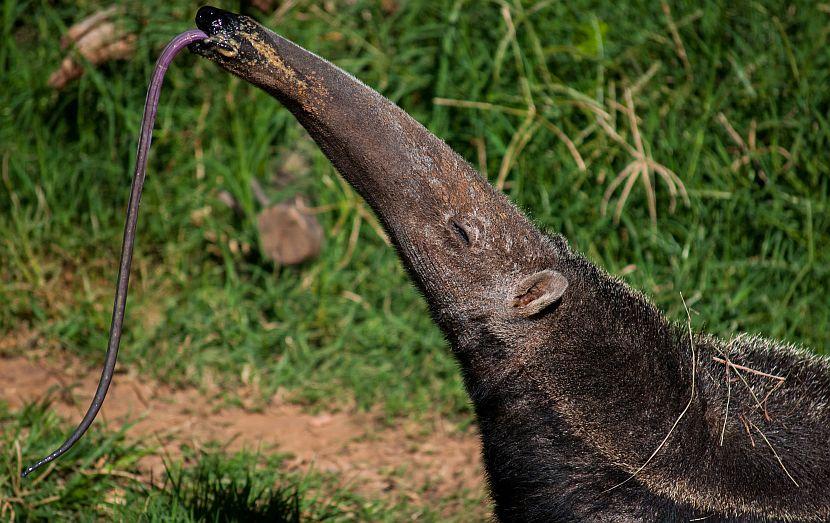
<point>495,80</point>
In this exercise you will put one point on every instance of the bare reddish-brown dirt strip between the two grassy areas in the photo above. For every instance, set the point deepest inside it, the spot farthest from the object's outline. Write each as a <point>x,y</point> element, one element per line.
<point>425,464</point>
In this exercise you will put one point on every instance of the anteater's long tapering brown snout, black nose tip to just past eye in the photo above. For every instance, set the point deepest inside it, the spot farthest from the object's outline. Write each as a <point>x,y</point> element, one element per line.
<point>448,223</point>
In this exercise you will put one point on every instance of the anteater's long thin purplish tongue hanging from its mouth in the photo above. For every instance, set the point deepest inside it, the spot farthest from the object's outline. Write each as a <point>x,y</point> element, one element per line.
<point>150,108</point>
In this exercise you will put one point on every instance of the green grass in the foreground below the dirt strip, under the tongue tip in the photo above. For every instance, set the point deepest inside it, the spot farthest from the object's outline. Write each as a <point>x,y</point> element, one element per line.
<point>101,480</point>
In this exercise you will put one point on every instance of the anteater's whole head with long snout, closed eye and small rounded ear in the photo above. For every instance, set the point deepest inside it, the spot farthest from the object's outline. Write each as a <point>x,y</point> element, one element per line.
<point>483,267</point>
